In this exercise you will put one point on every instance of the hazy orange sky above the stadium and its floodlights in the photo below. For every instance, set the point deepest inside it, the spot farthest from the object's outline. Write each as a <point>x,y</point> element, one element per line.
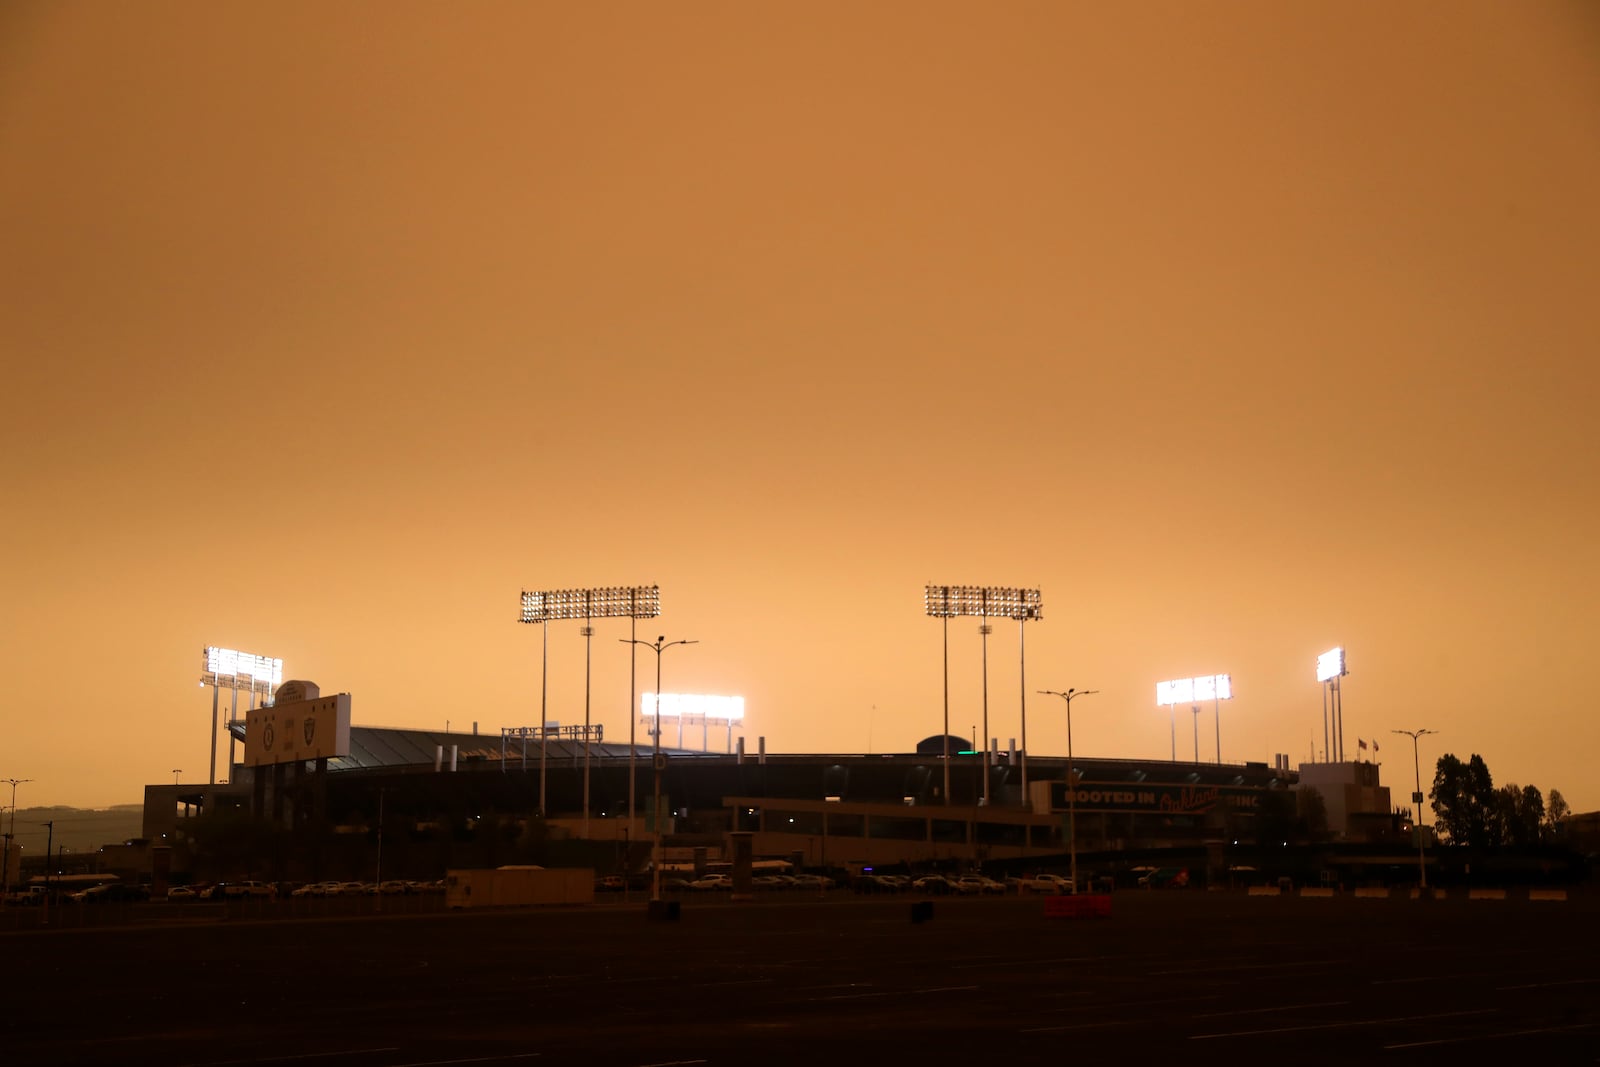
<point>1241,330</point>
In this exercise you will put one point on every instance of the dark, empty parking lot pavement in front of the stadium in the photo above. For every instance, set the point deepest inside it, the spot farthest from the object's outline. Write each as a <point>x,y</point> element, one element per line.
<point>1169,978</point>
